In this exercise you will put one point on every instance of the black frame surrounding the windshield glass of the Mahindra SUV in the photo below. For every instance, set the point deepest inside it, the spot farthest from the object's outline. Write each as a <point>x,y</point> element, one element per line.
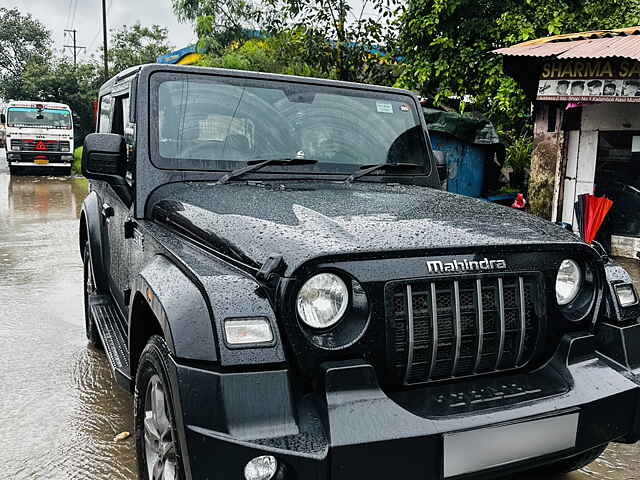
<point>255,79</point>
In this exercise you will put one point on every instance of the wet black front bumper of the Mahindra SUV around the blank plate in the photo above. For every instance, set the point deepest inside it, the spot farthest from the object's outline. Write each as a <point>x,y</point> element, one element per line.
<point>353,429</point>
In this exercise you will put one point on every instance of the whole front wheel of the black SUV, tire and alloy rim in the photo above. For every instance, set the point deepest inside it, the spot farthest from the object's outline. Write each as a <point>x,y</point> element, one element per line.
<point>157,444</point>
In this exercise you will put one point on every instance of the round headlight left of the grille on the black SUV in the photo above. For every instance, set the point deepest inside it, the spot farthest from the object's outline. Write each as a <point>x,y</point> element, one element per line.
<point>322,300</point>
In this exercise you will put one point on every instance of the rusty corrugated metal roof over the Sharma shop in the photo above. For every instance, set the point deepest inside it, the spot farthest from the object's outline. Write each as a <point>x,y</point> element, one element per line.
<point>624,43</point>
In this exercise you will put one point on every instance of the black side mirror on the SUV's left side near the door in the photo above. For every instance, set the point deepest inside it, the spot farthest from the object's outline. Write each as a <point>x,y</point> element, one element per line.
<point>104,157</point>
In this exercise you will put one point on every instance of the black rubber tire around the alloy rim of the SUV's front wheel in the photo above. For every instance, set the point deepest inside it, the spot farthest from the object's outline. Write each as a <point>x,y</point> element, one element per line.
<point>151,369</point>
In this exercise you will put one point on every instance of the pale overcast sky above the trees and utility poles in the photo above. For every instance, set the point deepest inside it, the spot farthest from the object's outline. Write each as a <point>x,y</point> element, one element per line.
<point>85,16</point>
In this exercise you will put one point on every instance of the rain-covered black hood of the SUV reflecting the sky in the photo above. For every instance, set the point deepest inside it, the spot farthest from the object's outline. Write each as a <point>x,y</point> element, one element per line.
<point>304,221</point>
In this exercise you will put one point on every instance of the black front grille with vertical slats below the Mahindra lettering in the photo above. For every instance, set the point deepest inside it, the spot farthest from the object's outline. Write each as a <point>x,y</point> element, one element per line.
<point>446,329</point>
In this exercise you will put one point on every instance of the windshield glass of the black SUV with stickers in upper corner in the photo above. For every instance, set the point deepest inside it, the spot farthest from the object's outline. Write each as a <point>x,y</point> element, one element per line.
<point>218,122</point>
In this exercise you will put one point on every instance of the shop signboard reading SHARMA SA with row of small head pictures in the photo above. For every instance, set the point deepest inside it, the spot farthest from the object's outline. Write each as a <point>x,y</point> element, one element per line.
<point>590,81</point>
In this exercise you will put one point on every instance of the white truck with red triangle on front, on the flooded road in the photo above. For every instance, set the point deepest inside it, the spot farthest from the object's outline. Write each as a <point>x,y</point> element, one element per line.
<point>39,136</point>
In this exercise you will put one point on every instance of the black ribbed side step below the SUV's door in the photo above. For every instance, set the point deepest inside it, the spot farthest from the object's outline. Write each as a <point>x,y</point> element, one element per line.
<point>114,338</point>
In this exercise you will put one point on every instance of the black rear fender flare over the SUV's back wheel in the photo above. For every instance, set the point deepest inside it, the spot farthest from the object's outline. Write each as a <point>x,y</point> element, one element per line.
<point>91,232</point>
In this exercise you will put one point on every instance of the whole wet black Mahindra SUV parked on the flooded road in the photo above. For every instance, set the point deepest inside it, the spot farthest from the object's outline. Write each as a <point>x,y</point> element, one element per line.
<point>273,270</point>
